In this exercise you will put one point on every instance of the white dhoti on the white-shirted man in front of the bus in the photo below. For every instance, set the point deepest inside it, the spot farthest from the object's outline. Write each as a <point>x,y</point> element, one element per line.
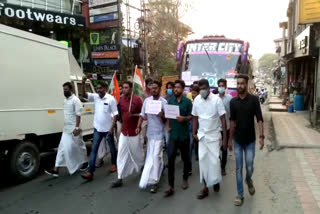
<point>209,161</point>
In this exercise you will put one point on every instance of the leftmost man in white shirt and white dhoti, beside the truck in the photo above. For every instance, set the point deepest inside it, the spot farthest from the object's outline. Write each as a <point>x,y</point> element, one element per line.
<point>72,151</point>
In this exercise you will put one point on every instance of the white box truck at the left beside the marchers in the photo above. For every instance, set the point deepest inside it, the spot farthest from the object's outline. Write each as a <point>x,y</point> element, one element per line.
<point>32,71</point>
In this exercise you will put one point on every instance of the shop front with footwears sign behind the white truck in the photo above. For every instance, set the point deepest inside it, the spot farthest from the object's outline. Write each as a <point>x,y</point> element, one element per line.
<point>61,20</point>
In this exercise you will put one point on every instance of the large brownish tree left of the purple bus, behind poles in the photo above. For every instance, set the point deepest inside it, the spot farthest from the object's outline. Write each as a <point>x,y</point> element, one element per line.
<point>165,33</point>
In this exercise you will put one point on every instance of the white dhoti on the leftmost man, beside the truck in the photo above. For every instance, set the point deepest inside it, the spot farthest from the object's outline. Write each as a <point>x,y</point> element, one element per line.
<point>72,152</point>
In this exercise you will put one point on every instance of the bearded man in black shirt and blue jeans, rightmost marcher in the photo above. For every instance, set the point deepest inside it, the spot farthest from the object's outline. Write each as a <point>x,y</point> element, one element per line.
<point>243,109</point>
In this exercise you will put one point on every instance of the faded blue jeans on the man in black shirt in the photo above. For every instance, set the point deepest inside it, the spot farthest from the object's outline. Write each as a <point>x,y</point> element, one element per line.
<point>249,152</point>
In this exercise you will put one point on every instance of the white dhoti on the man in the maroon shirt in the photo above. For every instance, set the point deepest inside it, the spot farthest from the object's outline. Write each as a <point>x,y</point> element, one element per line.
<point>130,156</point>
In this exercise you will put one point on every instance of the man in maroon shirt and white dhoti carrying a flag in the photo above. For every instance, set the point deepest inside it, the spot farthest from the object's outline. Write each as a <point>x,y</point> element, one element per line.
<point>130,150</point>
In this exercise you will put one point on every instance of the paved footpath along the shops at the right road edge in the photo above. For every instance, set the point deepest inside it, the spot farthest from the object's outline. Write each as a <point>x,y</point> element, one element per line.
<point>302,149</point>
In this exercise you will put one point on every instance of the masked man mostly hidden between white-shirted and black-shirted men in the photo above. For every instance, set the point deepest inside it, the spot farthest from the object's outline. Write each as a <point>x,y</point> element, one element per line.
<point>226,98</point>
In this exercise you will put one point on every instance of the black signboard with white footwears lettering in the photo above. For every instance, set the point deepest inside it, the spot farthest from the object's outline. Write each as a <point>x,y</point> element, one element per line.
<point>31,14</point>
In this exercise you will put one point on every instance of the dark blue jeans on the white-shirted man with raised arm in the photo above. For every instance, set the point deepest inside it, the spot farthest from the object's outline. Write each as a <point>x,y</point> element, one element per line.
<point>97,138</point>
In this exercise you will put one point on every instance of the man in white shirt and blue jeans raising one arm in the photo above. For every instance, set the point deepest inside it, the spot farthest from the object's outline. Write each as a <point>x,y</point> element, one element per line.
<point>105,118</point>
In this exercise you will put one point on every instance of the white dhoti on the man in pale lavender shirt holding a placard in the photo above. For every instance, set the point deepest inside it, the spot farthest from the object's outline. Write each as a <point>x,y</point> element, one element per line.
<point>153,165</point>
